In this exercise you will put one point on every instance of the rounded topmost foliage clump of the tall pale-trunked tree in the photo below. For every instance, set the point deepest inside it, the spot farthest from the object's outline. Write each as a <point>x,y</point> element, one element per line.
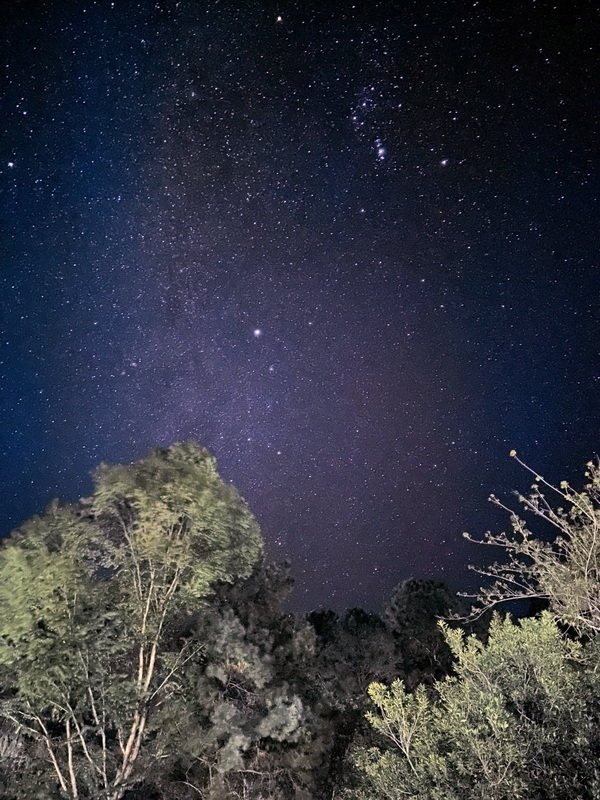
<point>176,516</point>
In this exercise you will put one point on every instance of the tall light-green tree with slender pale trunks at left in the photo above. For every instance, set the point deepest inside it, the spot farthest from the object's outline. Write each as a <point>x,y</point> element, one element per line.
<point>90,598</point>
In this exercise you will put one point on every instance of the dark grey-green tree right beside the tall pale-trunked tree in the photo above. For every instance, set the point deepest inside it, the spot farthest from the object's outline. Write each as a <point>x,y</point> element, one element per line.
<point>250,729</point>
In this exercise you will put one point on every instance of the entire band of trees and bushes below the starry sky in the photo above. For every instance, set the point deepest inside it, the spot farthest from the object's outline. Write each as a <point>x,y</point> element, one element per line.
<point>145,653</point>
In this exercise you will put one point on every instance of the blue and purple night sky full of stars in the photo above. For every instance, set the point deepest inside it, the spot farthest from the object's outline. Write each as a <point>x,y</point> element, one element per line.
<point>350,247</point>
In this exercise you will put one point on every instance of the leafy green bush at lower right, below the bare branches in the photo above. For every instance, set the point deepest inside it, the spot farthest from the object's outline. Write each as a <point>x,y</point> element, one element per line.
<point>519,719</point>
